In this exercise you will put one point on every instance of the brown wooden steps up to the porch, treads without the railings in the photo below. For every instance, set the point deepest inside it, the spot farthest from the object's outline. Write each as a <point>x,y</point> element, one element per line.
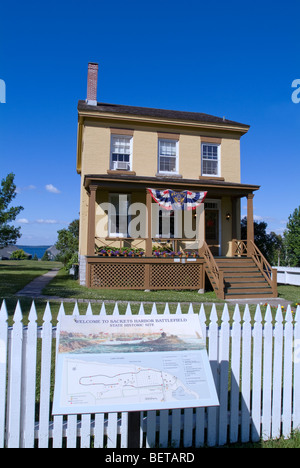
<point>243,279</point>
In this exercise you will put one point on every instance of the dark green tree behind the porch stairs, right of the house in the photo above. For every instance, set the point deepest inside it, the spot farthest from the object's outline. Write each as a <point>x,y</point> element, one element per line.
<point>270,245</point>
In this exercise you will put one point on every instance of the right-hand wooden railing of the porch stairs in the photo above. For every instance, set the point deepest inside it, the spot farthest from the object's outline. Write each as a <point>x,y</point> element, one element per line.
<point>243,248</point>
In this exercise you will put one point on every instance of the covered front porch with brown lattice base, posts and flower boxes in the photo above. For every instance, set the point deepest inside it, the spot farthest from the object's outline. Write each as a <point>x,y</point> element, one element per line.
<point>162,257</point>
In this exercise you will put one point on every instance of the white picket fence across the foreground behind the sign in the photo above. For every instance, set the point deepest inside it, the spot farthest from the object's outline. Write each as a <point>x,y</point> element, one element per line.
<point>256,367</point>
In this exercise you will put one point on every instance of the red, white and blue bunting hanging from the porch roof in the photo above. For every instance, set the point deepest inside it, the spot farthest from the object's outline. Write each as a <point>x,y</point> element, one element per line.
<point>171,200</point>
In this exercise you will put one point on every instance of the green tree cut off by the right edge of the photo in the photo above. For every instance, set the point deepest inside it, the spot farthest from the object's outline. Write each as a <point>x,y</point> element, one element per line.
<point>292,239</point>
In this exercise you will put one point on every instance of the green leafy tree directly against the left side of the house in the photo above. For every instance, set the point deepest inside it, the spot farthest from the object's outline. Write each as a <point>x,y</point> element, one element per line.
<point>68,244</point>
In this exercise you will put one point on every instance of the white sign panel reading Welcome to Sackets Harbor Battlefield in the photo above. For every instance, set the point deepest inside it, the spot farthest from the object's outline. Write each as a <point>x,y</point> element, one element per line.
<point>131,363</point>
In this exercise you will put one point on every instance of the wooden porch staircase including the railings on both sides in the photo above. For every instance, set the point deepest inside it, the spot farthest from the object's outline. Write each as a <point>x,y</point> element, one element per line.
<point>245,275</point>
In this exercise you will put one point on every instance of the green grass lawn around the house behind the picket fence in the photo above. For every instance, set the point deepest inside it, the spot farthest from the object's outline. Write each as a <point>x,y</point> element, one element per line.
<point>14,275</point>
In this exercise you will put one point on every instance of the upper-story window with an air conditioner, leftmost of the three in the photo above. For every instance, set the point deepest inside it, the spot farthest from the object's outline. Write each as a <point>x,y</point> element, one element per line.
<point>121,149</point>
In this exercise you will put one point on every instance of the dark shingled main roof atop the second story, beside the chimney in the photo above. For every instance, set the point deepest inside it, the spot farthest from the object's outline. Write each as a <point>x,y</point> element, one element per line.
<point>151,112</point>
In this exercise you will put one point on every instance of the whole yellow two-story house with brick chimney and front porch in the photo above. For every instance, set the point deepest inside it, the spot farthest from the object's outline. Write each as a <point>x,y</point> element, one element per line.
<point>132,162</point>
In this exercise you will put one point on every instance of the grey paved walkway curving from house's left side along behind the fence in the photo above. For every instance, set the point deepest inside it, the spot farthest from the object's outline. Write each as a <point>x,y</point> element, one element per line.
<point>35,288</point>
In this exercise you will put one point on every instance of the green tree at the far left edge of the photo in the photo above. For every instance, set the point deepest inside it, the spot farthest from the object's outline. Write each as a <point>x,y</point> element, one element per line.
<point>8,234</point>
